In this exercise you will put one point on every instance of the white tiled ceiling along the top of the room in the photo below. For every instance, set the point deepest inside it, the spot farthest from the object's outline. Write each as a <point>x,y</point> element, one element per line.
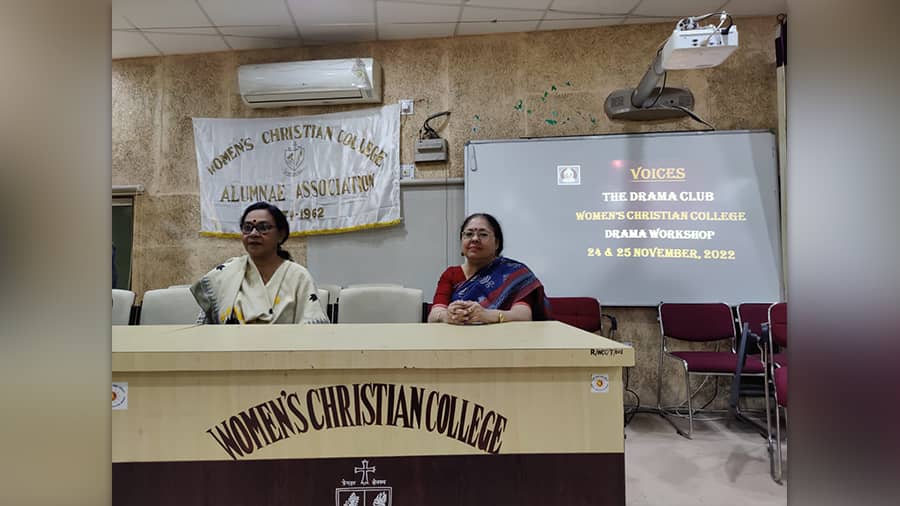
<point>164,27</point>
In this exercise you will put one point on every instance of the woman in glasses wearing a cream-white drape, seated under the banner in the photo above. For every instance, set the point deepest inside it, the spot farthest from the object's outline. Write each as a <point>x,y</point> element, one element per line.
<point>263,286</point>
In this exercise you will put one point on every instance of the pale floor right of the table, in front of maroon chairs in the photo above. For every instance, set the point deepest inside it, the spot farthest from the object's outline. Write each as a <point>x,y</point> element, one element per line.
<point>724,464</point>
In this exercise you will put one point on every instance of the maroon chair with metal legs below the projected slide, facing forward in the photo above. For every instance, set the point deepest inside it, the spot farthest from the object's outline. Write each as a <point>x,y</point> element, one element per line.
<point>704,322</point>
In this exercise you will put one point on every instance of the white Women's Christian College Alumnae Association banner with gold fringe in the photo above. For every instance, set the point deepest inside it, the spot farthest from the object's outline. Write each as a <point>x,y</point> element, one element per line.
<point>329,173</point>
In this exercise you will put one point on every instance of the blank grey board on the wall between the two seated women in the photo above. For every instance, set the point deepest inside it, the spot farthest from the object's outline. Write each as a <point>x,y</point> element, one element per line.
<point>413,254</point>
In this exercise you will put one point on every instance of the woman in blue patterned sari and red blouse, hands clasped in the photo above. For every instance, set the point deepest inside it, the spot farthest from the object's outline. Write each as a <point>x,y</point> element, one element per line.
<point>487,287</point>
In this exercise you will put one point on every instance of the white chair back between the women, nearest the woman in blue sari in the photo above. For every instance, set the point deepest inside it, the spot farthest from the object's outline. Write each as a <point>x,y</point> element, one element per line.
<point>380,304</point>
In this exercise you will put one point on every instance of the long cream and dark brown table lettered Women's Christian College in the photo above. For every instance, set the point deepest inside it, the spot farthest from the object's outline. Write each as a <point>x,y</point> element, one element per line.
<point>365,414</point>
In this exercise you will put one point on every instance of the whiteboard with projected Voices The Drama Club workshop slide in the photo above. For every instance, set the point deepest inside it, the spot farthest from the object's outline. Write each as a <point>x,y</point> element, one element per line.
<point>636,219</point>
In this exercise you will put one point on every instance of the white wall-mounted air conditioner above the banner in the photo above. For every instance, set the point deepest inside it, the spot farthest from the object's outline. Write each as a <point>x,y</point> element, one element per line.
<point>311,82</point>
